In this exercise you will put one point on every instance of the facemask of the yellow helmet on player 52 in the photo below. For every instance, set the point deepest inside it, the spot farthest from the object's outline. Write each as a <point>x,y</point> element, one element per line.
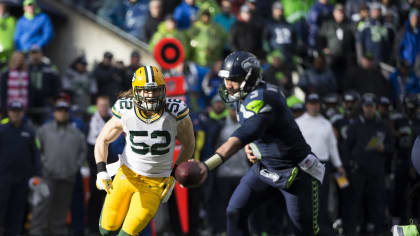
<point>153,103</point>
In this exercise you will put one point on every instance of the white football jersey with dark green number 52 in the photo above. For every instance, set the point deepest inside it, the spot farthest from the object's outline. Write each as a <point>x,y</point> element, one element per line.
<point>150,142</point>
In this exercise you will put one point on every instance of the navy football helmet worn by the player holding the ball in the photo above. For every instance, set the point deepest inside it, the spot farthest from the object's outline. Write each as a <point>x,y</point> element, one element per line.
<point>242,67</point>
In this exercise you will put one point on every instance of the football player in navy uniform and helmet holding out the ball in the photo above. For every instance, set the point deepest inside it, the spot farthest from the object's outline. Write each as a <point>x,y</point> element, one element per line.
<point>283,161</point>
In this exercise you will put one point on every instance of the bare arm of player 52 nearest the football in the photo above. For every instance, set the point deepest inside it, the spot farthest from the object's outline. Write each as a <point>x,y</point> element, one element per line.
<point>185,135</point>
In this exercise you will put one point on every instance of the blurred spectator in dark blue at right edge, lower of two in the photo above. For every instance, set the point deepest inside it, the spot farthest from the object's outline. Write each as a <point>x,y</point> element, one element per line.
<point>404,81</point>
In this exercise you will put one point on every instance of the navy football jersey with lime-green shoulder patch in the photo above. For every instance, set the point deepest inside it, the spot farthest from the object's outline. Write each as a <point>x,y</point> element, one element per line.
<point>268,123</point>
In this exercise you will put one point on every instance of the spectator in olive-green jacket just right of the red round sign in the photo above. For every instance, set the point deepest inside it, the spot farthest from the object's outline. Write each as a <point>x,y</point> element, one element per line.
<point>207,40</point>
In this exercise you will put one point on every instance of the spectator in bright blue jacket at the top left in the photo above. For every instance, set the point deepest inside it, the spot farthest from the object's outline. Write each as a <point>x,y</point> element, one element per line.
<point>34,28</point>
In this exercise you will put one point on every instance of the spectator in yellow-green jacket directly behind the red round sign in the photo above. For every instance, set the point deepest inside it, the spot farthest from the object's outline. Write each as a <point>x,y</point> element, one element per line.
<point>167,29</point>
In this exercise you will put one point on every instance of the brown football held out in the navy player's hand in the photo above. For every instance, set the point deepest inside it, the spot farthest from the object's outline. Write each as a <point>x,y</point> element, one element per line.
<point>188,174</point>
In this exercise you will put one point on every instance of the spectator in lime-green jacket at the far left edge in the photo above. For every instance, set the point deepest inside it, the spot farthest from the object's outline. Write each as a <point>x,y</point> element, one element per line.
<point>7,29</point>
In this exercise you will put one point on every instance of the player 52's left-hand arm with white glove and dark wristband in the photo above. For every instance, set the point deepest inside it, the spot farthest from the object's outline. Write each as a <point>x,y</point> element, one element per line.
<point>111,131</point>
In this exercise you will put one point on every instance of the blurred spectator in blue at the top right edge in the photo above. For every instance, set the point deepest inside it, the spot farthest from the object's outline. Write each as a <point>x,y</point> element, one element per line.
<point>410,43</point>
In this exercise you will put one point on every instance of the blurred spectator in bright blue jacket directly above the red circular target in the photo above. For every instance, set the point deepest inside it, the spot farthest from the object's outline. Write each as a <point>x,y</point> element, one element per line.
<point>185,14</point>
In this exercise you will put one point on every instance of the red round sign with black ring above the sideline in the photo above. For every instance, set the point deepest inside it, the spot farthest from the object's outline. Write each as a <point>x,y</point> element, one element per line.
<point>169,53</point>
